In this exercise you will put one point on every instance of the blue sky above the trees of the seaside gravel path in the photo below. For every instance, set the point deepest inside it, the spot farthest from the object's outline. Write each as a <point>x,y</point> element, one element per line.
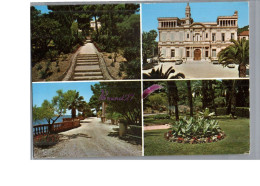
<point>42,91</point>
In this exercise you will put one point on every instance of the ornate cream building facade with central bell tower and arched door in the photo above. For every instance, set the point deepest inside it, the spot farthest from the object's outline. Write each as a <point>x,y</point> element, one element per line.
<point>188,40</point>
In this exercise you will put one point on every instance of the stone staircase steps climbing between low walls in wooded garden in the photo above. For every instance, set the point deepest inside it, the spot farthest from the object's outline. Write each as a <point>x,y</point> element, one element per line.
<point>87,68</point>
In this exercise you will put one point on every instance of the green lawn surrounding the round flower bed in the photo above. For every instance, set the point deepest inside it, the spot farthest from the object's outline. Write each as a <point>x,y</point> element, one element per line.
<point>235,142</point>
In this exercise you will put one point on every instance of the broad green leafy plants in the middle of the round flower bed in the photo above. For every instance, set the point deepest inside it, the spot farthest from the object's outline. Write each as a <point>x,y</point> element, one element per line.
<point>198,128</point>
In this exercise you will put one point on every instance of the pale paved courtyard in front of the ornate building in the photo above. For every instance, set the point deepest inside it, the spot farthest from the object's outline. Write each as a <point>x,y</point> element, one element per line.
<point>199,69</point>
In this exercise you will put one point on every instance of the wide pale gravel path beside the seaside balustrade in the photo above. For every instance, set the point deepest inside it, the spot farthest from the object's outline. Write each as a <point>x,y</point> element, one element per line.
<point>91,139</point>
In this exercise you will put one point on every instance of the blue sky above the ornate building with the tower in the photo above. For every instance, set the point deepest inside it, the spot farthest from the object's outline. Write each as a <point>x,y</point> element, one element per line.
<point>200,12</point>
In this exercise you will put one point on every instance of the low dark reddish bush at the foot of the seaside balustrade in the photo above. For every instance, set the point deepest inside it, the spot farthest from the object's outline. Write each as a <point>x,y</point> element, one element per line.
<point>45,140</point>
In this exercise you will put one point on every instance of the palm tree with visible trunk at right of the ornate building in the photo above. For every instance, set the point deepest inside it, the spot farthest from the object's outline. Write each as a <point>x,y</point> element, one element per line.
<point>237,53</point>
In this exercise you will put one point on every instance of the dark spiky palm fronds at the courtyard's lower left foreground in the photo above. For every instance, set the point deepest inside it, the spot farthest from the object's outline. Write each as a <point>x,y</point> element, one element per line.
<point>158,74</point>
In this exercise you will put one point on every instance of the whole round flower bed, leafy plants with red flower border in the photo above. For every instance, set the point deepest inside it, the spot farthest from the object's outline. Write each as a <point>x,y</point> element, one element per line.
<point>195,131</point>
